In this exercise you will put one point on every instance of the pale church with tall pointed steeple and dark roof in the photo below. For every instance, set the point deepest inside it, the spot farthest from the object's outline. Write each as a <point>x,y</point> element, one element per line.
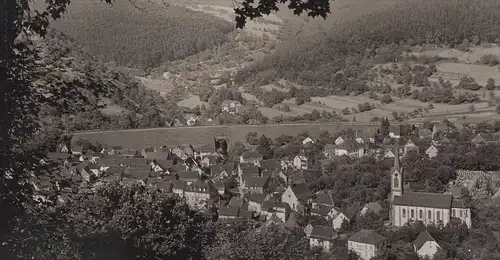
<point>430,208</point>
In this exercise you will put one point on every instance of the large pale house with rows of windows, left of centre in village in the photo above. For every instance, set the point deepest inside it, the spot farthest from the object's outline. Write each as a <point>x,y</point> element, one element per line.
<point>199,192</point>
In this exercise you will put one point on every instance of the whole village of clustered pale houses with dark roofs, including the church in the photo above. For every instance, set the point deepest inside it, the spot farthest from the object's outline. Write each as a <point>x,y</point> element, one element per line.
<point>274,191</point>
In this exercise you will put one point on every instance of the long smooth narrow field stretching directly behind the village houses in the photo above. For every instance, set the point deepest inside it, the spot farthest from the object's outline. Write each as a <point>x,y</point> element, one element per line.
<point>140,138</point>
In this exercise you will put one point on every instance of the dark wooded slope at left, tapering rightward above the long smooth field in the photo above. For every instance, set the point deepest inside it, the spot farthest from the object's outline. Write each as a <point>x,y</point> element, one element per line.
<point>97,95</point>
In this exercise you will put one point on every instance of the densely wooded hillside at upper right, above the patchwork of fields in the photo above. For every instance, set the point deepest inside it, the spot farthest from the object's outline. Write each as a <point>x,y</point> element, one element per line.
<point>350,46</point>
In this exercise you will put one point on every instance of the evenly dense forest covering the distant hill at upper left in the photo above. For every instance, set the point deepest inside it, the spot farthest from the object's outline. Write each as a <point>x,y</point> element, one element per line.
<point>144,36</point>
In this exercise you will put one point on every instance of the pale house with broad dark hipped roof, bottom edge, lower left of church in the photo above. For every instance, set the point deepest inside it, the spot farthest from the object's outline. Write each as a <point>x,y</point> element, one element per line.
<point>366,243</point>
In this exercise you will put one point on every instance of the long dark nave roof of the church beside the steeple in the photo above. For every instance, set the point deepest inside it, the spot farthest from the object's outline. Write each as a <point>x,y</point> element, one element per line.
<point>424,199</point>
